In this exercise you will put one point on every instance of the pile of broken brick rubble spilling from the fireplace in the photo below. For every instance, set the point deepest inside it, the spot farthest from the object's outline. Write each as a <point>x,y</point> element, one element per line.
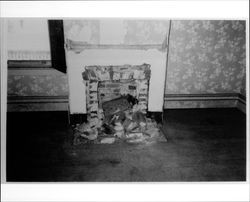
<point>123,120</point>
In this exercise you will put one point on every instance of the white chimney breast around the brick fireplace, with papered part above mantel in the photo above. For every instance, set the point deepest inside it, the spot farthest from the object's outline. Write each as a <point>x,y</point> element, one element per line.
<point>121,33</point>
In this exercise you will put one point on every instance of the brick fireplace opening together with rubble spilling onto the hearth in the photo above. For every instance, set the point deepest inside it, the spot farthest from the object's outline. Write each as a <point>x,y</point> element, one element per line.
<point>117,103</point>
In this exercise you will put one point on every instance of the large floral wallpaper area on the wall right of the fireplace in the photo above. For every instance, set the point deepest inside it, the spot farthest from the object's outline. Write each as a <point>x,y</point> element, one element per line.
<point>206,57</point>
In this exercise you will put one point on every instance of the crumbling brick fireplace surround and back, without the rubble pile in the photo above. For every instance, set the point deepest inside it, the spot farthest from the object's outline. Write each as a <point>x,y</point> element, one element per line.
<point>107,83</point>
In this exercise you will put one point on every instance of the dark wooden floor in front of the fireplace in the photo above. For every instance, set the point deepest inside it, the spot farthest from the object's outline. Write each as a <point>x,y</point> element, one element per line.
<point>203,145</point>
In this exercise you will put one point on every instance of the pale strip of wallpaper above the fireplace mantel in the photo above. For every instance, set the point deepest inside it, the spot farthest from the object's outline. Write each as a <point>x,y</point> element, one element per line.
<point>136,32</point>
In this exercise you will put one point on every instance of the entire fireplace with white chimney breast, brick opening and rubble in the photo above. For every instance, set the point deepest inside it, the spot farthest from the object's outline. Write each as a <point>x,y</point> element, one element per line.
<point>114,96</point>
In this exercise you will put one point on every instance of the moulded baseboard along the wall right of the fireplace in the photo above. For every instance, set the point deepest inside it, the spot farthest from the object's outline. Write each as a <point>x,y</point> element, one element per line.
<point>218,100</point>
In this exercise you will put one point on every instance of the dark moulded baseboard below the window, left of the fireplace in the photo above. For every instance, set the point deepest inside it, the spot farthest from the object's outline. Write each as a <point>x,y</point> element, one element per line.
<point>37,103</point>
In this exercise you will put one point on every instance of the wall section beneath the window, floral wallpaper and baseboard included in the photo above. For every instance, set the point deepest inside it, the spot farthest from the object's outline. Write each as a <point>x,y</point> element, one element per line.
<point>37,90</point>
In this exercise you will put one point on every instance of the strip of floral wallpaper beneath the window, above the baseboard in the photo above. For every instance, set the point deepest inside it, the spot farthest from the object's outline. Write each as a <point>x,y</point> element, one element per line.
<point>37,85</point>
